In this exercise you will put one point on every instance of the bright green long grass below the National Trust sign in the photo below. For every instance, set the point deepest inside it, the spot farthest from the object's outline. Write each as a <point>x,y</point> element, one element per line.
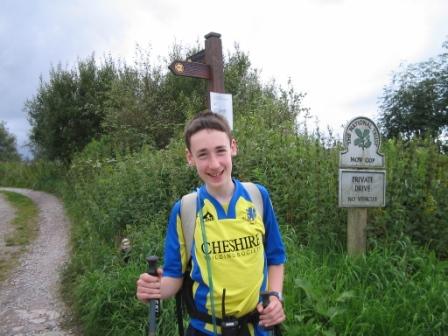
<point>393,290</point>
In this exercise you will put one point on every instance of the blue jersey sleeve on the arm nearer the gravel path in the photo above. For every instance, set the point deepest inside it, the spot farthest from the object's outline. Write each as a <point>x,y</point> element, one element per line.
<point>174,257</point>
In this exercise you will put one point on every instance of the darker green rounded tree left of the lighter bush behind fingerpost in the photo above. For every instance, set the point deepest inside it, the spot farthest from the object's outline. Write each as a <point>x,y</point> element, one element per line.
<point>67,111</point>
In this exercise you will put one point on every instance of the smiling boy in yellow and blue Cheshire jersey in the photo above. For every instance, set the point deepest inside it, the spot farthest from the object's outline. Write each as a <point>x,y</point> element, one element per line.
<point>244,248</point>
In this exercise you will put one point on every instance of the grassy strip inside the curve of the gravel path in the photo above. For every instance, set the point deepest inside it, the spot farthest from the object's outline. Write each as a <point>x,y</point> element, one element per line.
<point>24,231</point>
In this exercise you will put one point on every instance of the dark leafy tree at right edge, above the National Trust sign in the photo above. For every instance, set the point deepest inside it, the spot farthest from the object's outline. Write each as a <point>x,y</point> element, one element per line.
<point>415,103</point>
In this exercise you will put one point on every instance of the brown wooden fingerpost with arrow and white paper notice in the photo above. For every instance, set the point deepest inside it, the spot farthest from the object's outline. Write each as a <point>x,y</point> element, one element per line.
<point>208,64</point>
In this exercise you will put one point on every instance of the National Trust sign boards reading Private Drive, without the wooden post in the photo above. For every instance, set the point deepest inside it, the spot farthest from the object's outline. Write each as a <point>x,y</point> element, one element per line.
<point>362,178</point>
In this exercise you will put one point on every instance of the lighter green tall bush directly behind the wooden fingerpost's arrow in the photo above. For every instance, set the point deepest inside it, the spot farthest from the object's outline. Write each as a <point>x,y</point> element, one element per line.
<point>148,105</point>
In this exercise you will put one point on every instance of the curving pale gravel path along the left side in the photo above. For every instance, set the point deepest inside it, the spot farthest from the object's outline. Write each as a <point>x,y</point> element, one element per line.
<point>29,299</point>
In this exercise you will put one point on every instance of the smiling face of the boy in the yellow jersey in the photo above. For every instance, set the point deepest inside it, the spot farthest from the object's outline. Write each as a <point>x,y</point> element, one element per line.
<point>211,153</point>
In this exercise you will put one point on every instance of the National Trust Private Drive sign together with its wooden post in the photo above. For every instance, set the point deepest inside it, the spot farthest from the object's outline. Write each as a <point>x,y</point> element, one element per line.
<point>362,179</point>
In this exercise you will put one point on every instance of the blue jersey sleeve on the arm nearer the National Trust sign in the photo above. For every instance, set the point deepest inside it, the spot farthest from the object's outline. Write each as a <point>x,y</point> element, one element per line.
<point>274,247</point>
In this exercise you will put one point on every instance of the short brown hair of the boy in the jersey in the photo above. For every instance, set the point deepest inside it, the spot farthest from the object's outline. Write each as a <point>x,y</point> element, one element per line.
<point>206,120</point>
